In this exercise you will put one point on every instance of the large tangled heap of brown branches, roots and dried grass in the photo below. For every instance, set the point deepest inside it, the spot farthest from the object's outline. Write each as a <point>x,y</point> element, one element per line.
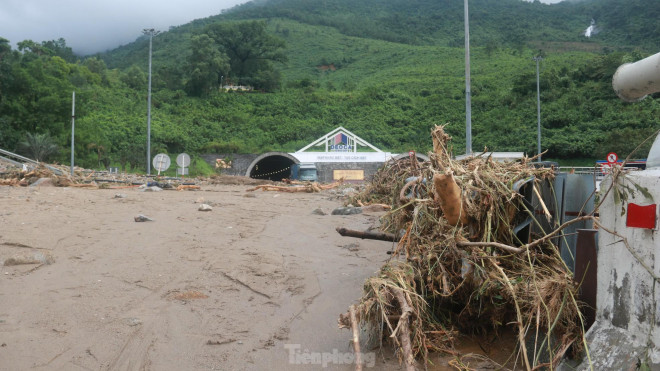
<point>465,271</point>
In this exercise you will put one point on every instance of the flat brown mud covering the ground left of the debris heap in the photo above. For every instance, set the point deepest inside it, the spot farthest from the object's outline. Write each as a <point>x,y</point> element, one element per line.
<point>226,290</point>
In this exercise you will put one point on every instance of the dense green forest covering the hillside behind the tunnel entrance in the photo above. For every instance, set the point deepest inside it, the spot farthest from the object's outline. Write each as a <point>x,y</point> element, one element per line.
<point>388,70</point>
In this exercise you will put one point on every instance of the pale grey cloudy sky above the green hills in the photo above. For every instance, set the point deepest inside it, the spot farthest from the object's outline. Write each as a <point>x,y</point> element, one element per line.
<point>91,26</point>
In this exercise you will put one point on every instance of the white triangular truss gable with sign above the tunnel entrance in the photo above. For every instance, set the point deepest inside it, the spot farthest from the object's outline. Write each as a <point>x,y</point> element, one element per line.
<point>341,145</point>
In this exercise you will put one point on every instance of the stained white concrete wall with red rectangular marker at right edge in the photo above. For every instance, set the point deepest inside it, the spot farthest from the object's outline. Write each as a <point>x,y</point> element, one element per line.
<point>627,294</point>
